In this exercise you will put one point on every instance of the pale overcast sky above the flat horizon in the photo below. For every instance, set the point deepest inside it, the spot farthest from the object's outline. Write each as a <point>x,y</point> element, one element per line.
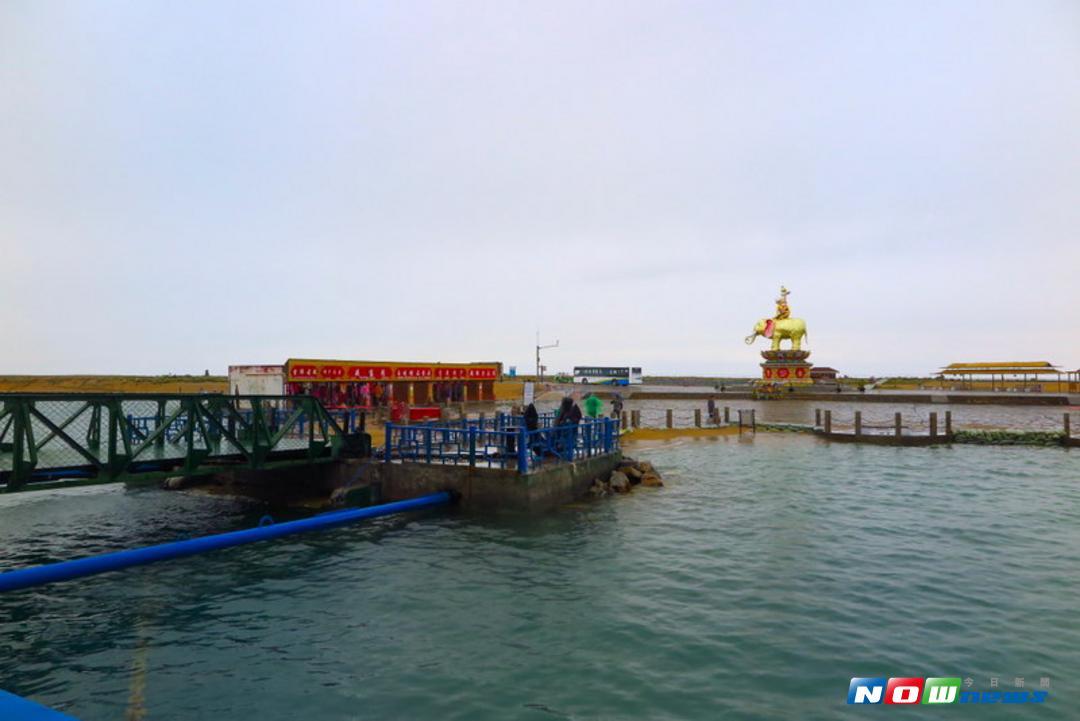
<point>191,185</point>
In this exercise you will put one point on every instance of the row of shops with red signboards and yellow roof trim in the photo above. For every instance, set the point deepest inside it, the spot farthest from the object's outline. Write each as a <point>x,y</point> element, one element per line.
<point>370,384</point>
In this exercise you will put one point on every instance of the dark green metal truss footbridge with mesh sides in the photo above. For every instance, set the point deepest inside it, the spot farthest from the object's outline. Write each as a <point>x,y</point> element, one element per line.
<point>106,438</point>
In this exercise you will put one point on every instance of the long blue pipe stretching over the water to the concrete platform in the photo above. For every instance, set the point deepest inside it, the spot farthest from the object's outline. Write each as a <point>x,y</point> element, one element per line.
<point>114,562</point>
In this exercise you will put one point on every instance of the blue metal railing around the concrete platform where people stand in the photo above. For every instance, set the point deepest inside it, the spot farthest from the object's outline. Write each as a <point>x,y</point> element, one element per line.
<point>501,444</point>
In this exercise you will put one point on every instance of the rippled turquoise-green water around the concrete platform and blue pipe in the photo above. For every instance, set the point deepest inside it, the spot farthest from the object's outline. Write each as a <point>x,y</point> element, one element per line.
<point>765,576</point>
